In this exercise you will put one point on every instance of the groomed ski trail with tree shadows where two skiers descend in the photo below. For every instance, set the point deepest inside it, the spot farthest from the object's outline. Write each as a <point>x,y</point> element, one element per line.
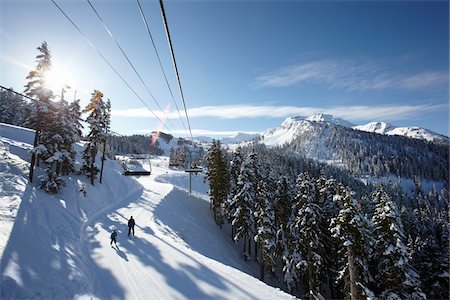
<point>170,256</point>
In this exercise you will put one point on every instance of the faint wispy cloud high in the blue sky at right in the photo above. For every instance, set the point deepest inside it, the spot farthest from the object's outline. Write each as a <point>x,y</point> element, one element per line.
<point>351,75</point>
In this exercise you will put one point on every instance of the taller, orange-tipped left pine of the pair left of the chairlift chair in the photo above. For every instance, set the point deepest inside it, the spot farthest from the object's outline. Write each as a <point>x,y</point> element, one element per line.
<point>97,123</point>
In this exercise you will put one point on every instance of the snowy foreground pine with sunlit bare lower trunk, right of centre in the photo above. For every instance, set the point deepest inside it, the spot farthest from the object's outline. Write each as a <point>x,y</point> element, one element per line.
<point>351,229</point>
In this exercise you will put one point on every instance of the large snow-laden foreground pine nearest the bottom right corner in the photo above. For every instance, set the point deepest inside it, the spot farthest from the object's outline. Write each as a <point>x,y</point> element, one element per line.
<point>396,278</point>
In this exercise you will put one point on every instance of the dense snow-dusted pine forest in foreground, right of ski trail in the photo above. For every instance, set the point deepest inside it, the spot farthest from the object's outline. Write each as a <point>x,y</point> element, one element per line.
<point>330,237</point>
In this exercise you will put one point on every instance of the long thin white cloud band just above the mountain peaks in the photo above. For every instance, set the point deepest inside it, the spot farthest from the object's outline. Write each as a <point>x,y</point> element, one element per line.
<point>350,113</point>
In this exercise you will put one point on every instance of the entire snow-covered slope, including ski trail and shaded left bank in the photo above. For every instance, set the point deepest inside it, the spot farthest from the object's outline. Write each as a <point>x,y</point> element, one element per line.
<point>57,246</point>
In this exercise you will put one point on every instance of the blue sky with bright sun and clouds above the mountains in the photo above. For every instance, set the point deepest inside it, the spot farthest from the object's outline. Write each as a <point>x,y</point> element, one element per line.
<point>244,65</point>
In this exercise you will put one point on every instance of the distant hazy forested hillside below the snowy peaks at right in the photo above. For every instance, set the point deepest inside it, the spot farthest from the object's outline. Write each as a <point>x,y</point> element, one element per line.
<point>373,154</point>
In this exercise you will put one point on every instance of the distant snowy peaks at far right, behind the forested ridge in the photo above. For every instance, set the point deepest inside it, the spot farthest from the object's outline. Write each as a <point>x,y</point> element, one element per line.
<point>410,131</point>
